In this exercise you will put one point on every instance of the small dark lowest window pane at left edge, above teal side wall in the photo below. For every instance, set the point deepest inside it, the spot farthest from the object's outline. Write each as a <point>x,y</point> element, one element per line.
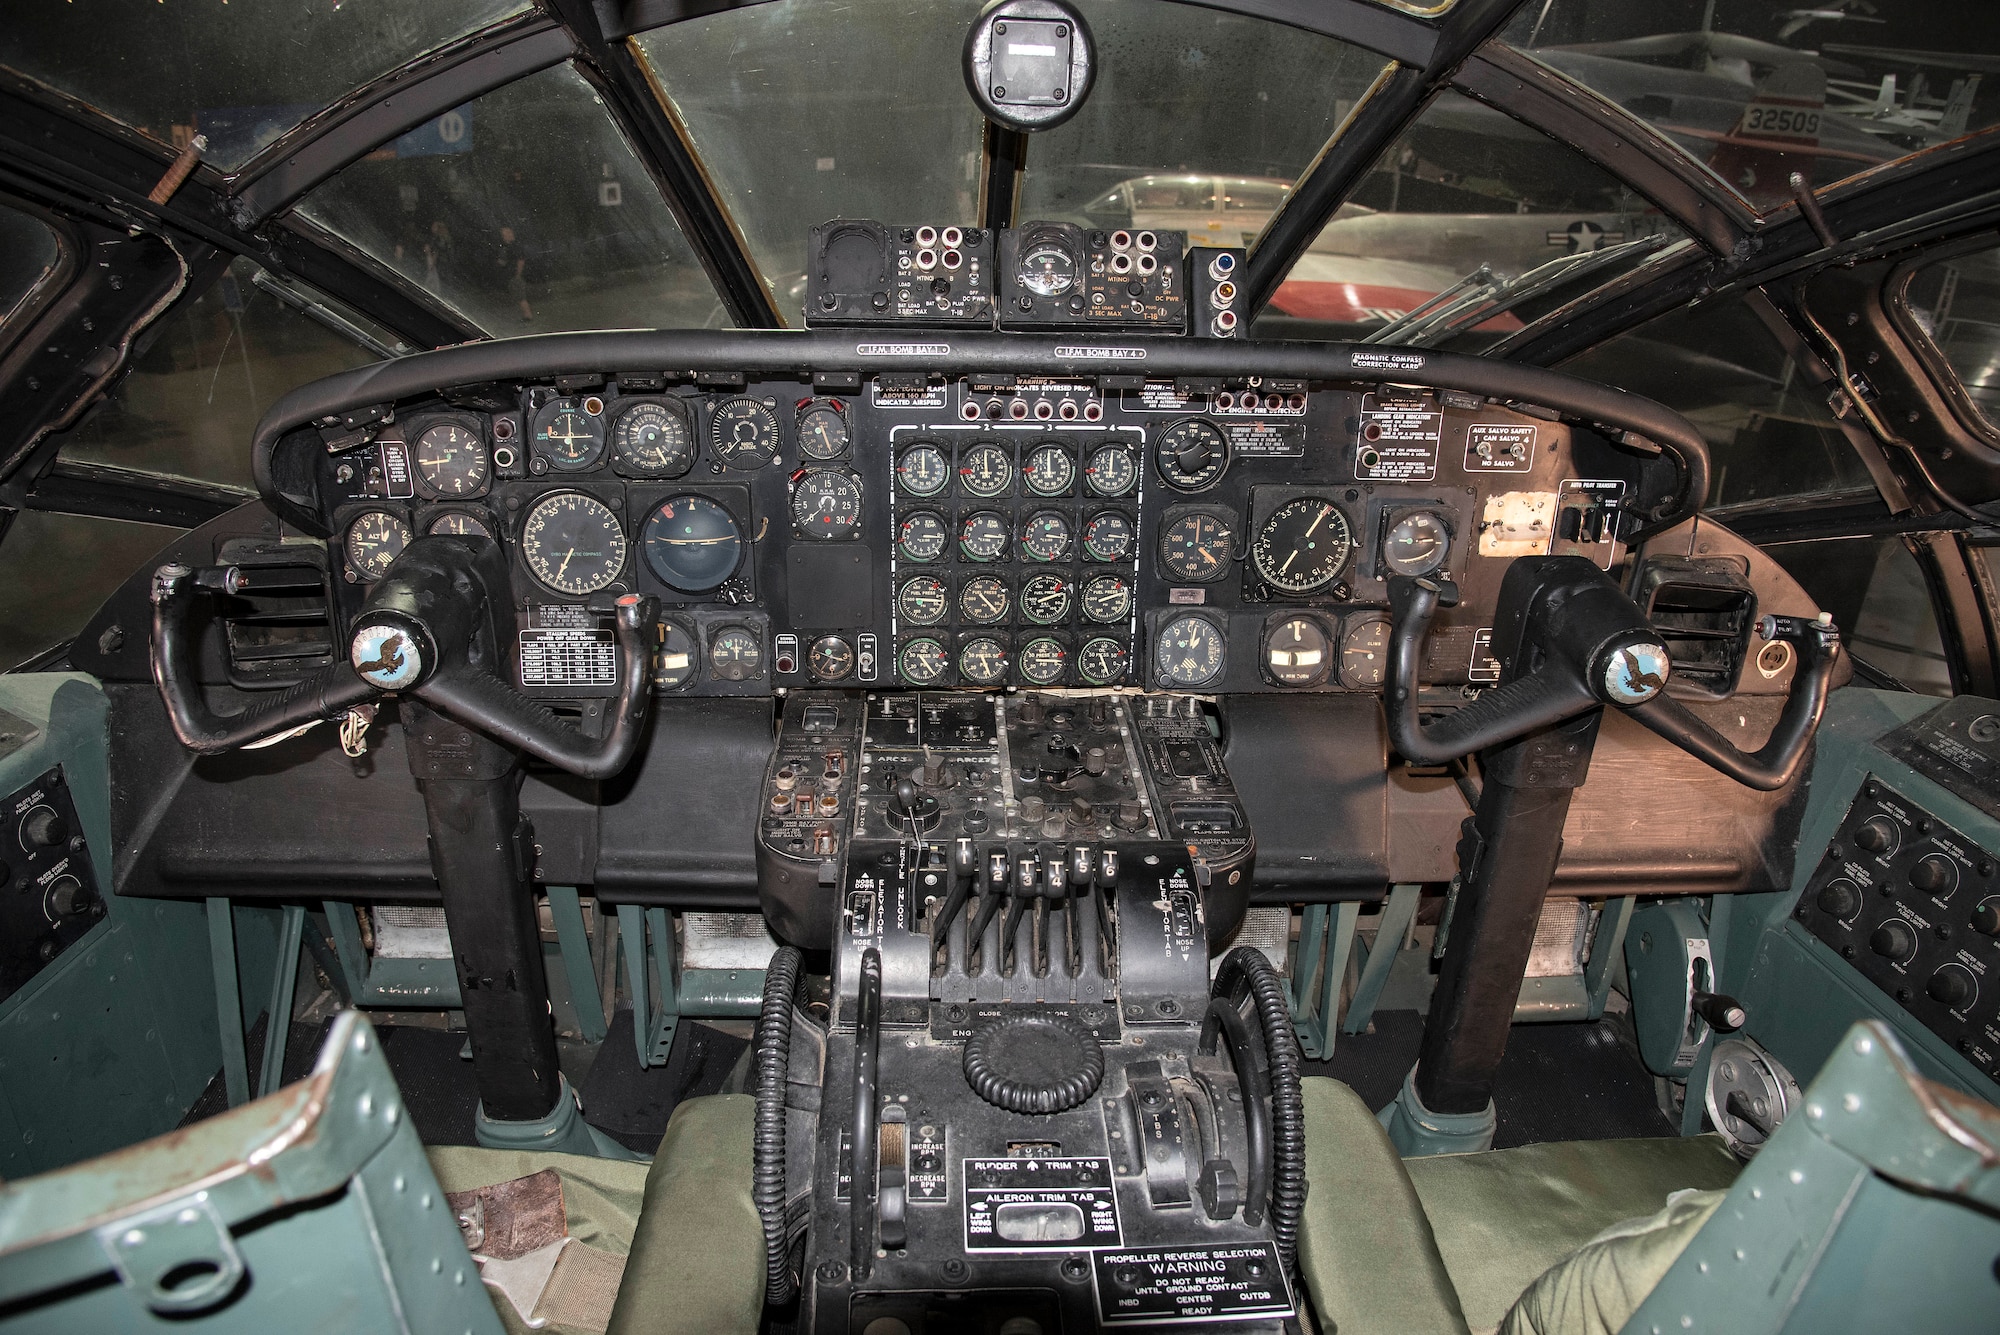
<point>57,571</point>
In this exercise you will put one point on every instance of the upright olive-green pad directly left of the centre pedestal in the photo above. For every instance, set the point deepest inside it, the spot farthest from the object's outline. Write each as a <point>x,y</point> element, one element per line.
<point>697,1258</point>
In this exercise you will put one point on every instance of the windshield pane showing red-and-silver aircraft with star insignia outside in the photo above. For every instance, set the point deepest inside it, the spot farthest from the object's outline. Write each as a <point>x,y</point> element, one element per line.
<point>1475,205</point>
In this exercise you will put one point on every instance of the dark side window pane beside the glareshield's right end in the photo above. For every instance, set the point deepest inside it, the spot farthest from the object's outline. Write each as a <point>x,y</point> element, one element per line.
<point>1769,429</point>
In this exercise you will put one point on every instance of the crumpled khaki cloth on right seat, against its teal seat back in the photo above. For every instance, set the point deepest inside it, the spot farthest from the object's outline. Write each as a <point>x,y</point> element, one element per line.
<point>1603,1284</point>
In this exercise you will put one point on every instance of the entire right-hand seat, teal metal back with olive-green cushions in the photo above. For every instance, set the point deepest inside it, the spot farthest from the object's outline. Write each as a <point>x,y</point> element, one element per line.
<point>1875,1208</point>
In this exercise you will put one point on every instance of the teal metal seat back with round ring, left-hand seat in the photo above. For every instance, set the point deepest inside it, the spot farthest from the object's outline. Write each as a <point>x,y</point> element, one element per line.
<point>311,1210</point>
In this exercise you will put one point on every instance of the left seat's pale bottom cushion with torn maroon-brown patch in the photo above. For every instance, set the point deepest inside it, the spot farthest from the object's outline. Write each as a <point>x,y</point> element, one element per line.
<point>557,1230</point>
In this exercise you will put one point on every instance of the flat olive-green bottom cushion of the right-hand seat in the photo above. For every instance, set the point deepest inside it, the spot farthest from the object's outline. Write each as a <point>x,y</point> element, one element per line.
<point>1505,1216</point>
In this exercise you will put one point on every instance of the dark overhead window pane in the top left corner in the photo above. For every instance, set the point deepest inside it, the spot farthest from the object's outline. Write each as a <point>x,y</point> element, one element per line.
<point>237,73</point>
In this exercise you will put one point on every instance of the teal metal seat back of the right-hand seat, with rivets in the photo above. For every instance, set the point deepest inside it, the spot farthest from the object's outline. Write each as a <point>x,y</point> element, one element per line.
<point>1873,1208</point>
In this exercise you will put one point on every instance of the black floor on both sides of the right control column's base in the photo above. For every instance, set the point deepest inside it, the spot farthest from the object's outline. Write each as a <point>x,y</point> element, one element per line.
<point>1559,1082</point>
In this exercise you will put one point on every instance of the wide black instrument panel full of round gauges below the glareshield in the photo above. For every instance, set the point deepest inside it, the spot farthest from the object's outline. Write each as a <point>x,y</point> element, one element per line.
<point>977,533</point>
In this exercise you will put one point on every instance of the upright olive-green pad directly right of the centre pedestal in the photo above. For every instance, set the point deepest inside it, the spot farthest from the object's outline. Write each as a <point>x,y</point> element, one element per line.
<point>1365,1246</point>
